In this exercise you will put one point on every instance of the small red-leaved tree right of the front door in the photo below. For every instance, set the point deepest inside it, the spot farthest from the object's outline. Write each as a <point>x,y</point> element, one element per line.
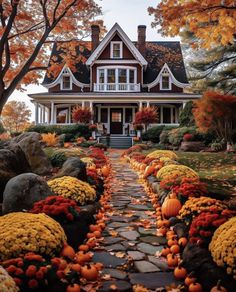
<point>146,116</point>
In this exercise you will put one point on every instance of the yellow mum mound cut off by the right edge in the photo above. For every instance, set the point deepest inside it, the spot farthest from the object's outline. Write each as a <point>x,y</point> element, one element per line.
<point>223,246</point>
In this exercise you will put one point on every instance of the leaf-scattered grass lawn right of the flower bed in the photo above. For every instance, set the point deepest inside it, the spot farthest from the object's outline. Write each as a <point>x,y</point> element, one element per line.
<point>217,169</point>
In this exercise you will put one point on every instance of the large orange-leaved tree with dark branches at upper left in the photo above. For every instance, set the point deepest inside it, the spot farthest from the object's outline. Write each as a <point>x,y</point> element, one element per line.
<point>27,31</point>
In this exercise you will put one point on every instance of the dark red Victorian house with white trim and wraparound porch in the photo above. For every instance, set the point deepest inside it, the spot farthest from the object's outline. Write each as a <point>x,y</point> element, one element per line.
<point>115,77</point>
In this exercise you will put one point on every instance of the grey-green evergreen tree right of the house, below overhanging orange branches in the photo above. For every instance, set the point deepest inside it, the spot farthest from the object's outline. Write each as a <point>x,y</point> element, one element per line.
<point>212,68</point>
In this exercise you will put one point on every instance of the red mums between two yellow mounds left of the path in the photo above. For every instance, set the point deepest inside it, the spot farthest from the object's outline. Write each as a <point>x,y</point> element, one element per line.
<point>57,207</point>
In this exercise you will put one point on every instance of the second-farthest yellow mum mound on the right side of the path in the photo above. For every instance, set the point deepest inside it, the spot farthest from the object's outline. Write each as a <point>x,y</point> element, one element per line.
<point>176,171</point>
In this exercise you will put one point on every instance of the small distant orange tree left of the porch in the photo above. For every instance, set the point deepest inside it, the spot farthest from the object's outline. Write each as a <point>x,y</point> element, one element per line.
<point>16,116</point>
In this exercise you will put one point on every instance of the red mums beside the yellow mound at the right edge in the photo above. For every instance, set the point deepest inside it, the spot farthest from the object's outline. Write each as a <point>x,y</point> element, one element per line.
<point>204,225</point>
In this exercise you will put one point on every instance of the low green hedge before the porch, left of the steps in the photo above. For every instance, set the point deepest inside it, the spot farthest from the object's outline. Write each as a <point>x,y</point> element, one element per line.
<point>77,130</point>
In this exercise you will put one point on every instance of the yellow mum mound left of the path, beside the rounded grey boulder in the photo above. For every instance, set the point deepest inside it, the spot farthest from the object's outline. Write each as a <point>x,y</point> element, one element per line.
<point>73,188</point>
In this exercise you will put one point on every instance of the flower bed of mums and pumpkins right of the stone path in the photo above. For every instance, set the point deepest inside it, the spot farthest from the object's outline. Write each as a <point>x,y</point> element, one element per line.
<point>202,221</point>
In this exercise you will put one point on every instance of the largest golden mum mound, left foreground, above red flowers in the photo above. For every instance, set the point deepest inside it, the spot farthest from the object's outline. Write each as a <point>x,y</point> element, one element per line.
<point>21,233</point>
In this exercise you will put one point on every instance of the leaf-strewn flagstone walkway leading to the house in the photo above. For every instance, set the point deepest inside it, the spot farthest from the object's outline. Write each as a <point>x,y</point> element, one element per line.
<point>130,242</point>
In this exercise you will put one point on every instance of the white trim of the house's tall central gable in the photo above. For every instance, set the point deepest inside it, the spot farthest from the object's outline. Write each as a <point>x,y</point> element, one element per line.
<point>116,29</point>
